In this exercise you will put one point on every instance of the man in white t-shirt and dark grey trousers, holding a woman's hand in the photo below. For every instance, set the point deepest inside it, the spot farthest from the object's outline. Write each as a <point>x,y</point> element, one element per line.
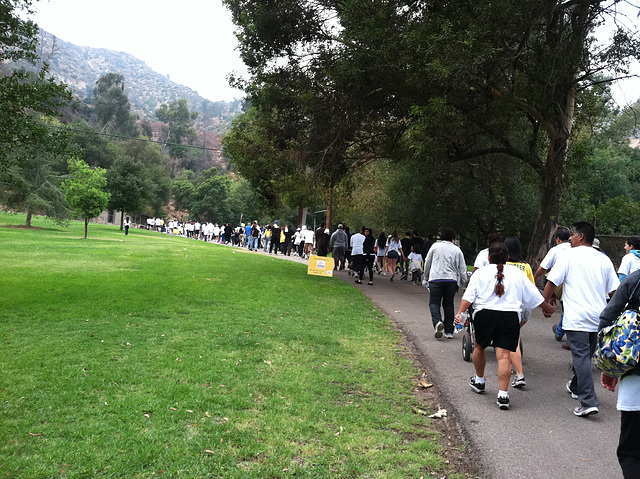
<point>588,277</point>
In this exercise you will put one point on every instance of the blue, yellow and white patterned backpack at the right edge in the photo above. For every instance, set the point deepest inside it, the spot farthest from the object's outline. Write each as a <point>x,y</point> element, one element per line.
<point>618,347</point>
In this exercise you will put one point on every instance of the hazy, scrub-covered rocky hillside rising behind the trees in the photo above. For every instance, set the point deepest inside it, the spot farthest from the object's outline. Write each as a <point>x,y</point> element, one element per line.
<point>80,68</point>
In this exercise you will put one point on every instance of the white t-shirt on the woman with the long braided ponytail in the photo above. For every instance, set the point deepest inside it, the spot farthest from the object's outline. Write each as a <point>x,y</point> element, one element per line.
<point>519,292</point>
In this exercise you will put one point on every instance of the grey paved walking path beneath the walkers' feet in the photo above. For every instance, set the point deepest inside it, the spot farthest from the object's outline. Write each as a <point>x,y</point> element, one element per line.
<point>538,437</point>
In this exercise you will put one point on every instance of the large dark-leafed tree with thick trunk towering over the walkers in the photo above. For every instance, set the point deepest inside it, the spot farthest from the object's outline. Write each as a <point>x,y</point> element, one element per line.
<point>455,81</point>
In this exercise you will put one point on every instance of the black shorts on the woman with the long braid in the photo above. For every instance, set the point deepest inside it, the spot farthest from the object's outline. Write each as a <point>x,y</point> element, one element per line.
<point>500,329</point>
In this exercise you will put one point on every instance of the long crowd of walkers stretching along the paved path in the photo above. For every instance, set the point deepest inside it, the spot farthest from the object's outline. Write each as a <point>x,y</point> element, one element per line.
<point>499,294</point>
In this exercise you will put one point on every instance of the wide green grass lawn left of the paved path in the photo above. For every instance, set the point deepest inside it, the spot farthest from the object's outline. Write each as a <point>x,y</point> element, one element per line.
<point>154,356</point>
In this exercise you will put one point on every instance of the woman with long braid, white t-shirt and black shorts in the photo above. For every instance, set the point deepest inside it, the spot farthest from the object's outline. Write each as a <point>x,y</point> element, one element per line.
<point>498,292</point>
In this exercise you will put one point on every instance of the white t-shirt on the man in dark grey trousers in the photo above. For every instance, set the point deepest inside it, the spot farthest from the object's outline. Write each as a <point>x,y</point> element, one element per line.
<point>588,276</point>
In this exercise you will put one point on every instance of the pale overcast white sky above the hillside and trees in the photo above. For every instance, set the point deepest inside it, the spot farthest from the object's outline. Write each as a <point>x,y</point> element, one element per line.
<point>192,41</point>
